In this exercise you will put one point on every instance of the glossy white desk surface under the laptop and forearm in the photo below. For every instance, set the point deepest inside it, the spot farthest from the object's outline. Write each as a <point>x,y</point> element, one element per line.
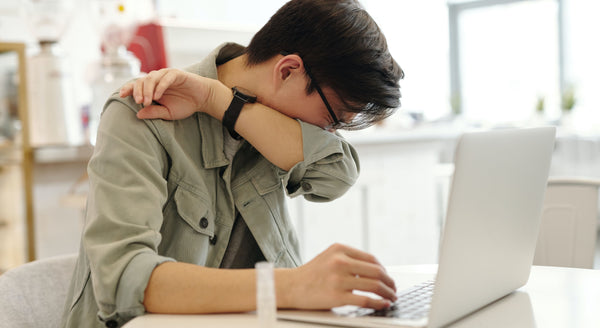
<point>553,297</point>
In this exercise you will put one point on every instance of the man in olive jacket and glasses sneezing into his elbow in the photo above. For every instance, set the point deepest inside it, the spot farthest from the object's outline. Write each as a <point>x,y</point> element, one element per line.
<point>175,205</point>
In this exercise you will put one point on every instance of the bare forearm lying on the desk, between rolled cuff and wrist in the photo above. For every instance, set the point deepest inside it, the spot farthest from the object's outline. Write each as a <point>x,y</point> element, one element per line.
<point>176,287</point>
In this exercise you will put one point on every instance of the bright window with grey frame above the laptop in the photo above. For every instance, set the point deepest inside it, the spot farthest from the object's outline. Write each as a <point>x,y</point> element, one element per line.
<point>505,55</point>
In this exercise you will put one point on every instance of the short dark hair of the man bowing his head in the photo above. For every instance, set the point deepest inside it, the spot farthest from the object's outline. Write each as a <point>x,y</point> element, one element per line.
<point>352,58</point>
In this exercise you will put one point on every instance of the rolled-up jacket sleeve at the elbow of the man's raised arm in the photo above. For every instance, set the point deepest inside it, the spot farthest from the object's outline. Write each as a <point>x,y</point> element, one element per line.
<point>329,169</point>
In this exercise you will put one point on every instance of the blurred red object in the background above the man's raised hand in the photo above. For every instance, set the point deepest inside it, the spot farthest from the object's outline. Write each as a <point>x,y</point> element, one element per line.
<point>149,47</point>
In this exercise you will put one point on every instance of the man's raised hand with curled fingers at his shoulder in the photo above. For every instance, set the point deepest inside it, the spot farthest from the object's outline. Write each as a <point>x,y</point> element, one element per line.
<point>170,94</point>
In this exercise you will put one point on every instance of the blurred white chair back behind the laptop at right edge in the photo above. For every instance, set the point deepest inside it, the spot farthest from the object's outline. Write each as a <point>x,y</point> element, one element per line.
<point>569,225</point>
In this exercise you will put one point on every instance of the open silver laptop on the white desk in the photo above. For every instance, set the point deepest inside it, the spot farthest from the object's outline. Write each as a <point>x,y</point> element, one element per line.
<point>489,236</point>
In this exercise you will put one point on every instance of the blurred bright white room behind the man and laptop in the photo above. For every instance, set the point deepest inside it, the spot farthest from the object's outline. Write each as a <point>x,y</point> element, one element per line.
<point>469,65</point>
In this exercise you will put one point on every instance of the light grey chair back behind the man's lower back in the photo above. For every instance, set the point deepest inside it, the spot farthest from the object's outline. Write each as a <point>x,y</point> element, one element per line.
<point>33,295</point>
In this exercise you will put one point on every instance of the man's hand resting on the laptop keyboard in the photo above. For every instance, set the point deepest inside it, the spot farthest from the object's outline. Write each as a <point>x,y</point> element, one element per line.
<point>329,279</point>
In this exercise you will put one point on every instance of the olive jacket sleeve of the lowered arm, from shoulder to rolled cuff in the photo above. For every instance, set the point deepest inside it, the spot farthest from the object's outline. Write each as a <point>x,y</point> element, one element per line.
<point>124,212</point>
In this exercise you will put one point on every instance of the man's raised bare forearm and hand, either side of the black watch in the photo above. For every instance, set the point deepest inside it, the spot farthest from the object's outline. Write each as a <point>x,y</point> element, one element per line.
<point>276,136</point>
